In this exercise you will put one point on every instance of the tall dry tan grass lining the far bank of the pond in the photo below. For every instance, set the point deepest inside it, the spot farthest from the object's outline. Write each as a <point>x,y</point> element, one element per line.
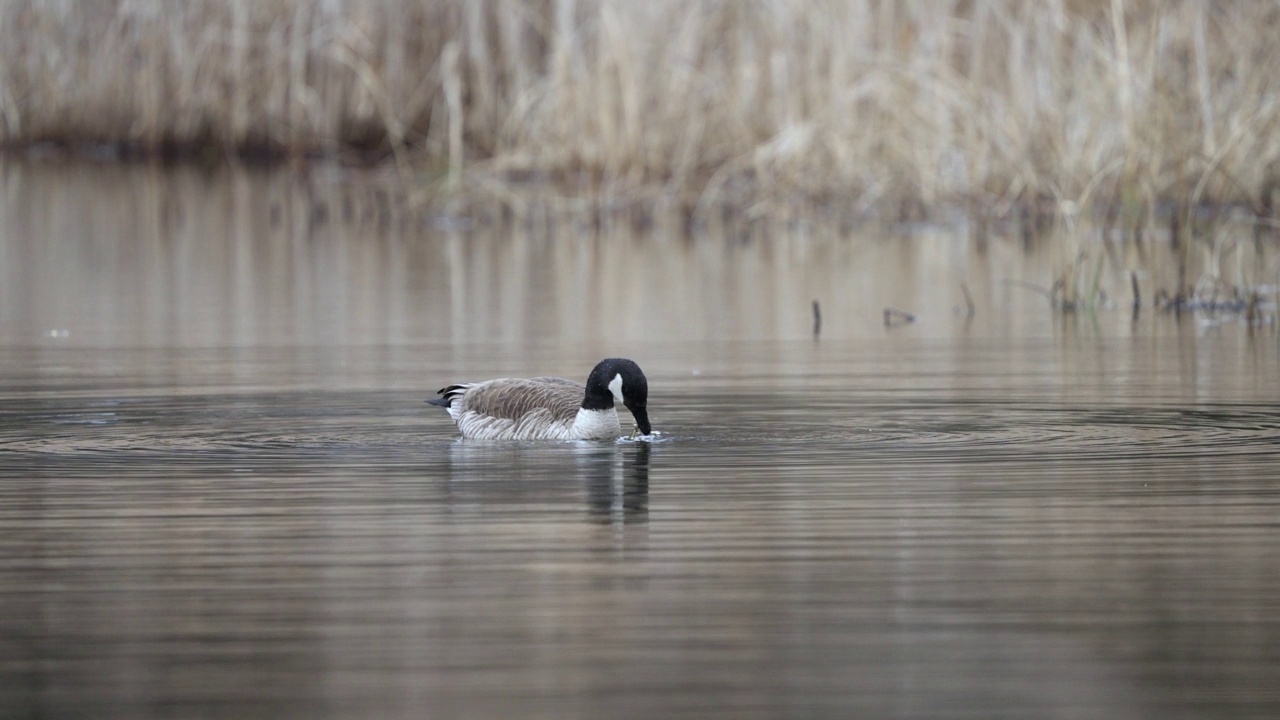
<point>862,101</point>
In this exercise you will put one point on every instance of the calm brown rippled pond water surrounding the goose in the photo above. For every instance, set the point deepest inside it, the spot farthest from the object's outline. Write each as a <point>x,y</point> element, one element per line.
<point>223,496</point>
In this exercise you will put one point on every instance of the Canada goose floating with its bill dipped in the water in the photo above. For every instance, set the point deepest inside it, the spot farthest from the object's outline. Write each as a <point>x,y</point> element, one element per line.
<point>550,408</point>
